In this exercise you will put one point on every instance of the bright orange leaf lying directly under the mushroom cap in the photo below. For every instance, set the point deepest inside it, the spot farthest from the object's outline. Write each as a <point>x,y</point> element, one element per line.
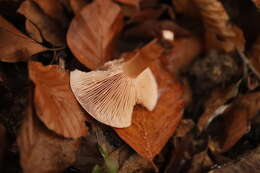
<point>145,135</point>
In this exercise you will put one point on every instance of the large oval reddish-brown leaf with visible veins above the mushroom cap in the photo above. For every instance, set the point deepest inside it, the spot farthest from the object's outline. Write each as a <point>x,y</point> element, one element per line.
<point>92,32</point>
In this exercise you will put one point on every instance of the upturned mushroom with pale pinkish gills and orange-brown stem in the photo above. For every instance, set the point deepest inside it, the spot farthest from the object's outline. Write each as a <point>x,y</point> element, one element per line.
<point>110,93</point>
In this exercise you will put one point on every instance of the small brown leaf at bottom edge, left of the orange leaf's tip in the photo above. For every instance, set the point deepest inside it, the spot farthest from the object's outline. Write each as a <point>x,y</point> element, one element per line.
<point>135,163</point>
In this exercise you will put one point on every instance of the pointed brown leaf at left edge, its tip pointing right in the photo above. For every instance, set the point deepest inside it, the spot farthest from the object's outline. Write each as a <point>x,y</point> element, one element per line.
<point>16,46</point>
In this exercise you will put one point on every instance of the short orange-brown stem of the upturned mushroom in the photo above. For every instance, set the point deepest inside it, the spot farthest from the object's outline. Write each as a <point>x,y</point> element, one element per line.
<point>142,59</point>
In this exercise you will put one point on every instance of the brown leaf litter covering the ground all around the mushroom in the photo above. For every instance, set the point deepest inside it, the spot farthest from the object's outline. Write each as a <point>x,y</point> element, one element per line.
<point>207,115</point>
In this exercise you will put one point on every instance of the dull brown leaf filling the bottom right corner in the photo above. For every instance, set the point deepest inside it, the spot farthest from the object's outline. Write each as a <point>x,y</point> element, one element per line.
<point>248,163</point>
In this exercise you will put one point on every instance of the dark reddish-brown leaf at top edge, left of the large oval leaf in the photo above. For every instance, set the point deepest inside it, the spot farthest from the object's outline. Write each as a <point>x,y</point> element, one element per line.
<point>53,9</point>
